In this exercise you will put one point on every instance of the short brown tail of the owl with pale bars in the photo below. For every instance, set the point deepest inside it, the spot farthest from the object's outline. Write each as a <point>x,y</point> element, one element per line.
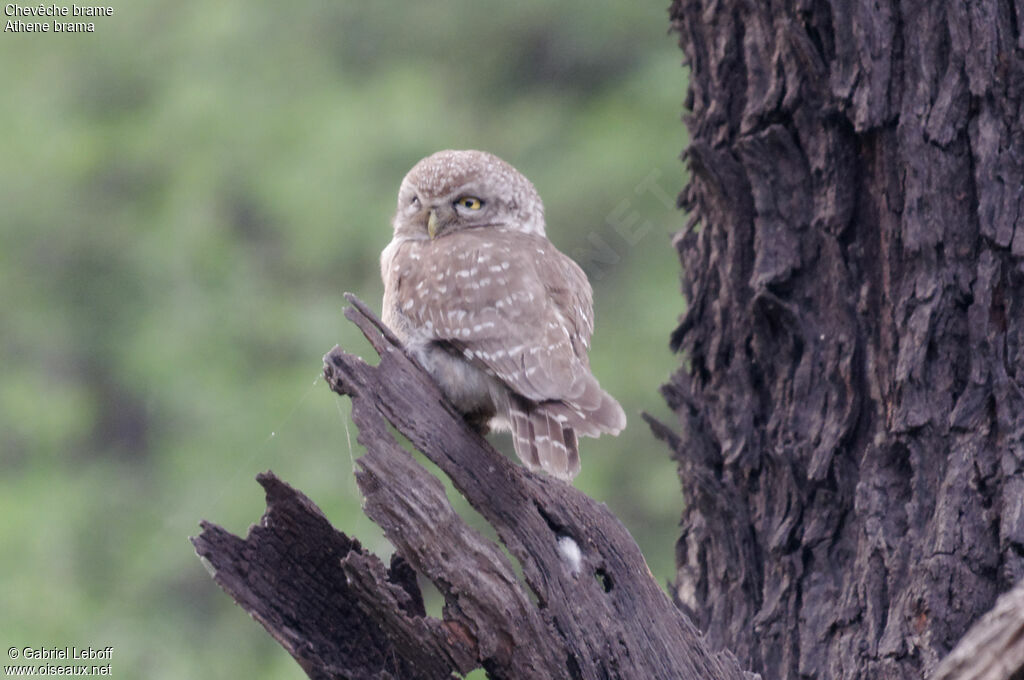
<point>545,434</point>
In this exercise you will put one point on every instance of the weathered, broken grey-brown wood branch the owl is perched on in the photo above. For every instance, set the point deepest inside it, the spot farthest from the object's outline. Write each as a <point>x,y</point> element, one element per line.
<point>589,608</point>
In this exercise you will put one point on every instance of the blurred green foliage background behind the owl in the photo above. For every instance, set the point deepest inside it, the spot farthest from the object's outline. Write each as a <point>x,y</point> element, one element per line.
<point>186,194</point>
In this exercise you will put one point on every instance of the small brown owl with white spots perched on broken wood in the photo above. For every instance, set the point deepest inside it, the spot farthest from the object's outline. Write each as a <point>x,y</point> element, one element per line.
<point>493,311</point>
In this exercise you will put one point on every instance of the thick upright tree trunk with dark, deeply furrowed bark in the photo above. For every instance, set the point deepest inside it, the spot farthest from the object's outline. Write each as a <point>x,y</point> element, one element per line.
<point>851,399</point>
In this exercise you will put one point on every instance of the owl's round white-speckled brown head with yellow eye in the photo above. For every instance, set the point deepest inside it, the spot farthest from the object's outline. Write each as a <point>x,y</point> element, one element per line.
<point>452,191</point>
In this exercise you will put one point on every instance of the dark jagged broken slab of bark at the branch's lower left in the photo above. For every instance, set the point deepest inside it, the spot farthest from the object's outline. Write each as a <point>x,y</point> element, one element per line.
<point>336,609</point>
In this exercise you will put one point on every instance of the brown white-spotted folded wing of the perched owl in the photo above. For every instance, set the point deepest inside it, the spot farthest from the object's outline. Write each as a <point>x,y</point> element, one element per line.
<point>522,310</point>
